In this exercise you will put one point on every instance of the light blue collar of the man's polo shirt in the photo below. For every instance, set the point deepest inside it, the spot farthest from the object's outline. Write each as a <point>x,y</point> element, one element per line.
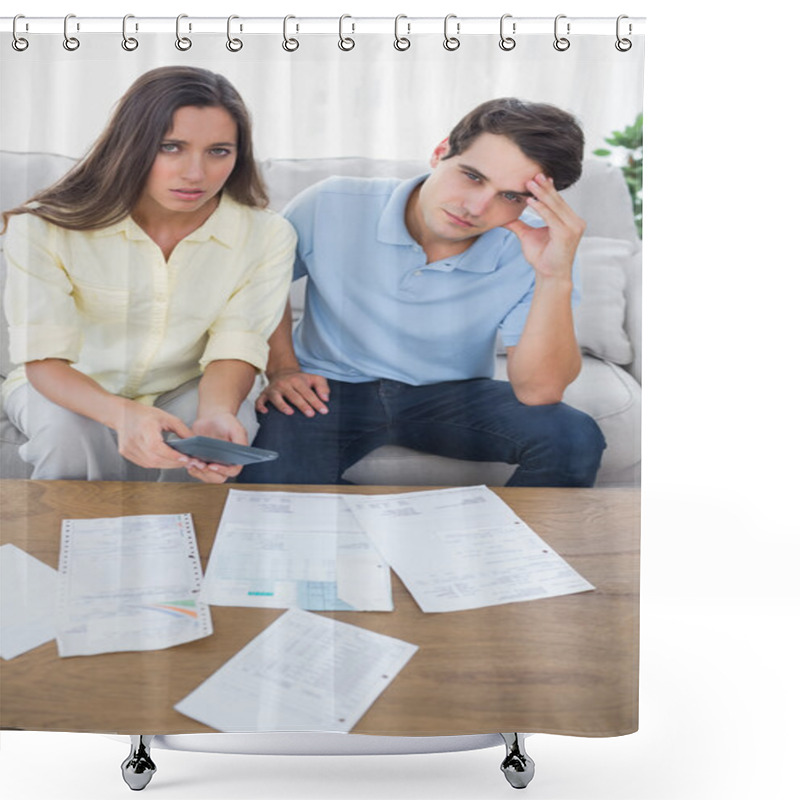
<point>482,256</point>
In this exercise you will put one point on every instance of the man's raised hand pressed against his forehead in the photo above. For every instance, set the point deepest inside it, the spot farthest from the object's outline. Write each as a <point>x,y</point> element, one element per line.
<point>549,250</point>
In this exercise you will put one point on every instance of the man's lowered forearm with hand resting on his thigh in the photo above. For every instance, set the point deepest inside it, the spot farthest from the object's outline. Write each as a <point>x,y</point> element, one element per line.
<point>288,384</point>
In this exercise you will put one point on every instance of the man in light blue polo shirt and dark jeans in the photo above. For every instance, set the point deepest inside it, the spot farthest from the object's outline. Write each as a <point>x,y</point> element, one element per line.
<point>408,284</point>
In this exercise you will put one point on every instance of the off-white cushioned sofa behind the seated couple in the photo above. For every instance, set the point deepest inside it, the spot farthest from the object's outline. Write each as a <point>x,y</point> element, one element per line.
<point>608,319</point>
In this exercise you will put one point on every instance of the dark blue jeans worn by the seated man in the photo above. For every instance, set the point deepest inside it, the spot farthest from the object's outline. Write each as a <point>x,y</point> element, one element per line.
<point>479,420</point>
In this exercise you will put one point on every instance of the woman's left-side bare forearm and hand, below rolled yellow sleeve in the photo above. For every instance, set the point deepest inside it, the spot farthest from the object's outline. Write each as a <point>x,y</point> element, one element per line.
<point>139,428</point>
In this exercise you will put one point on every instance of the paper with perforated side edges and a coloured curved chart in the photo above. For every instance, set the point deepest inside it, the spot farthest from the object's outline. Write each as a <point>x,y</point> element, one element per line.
<point>129,583</point>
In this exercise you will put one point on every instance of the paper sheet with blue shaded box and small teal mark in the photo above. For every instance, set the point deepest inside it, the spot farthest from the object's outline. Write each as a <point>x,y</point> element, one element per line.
<point>294,550</point>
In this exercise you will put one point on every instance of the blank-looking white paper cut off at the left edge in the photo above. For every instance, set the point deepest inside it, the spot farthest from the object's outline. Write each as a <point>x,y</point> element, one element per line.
<point>27,602</point>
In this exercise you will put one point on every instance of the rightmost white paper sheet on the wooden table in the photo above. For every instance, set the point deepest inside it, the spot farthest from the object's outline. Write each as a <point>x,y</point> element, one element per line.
<point>462,548</point>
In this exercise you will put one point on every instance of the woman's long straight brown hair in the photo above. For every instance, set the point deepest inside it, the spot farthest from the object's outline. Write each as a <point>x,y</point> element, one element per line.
<point>105,185</point>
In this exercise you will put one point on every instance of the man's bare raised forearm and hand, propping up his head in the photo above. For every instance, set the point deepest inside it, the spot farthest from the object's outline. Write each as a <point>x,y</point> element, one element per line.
<point>547,357</point>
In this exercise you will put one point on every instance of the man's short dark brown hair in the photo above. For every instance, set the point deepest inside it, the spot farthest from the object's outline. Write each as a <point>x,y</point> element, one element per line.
<point>546,134</point>
